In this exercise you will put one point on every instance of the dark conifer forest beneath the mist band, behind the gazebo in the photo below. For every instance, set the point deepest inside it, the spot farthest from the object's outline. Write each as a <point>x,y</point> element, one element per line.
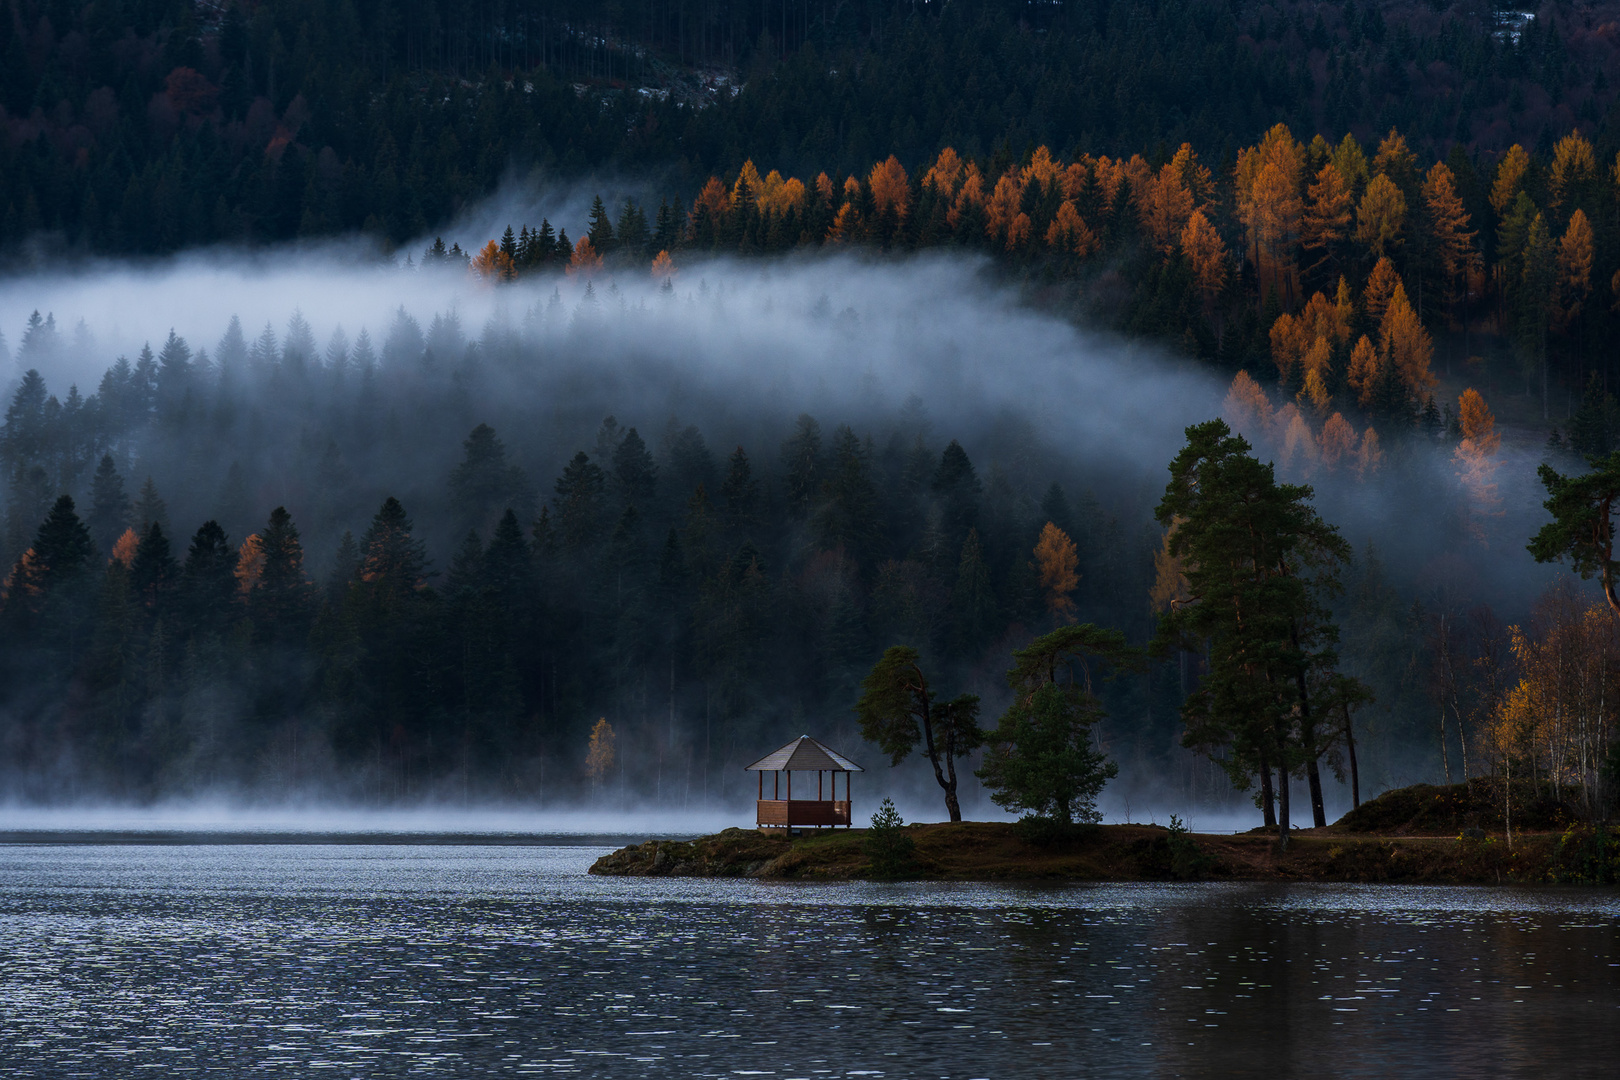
<point>213,582</point>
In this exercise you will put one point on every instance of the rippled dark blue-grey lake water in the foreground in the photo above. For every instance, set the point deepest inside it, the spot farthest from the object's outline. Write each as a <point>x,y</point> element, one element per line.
<point>472,961</point>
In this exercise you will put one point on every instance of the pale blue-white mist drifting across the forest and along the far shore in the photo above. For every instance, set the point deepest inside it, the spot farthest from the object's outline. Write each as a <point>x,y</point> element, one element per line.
<point>914,352</point>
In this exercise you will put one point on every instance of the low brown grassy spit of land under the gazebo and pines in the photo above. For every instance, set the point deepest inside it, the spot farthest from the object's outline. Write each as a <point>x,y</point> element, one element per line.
<point>984,851</point>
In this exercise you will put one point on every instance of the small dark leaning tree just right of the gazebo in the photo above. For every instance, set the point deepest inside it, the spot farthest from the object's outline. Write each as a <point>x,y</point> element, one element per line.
<point>898,712</point>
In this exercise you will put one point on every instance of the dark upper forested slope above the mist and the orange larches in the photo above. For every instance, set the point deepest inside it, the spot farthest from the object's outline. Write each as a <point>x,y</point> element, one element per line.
<point>153,125</point>
